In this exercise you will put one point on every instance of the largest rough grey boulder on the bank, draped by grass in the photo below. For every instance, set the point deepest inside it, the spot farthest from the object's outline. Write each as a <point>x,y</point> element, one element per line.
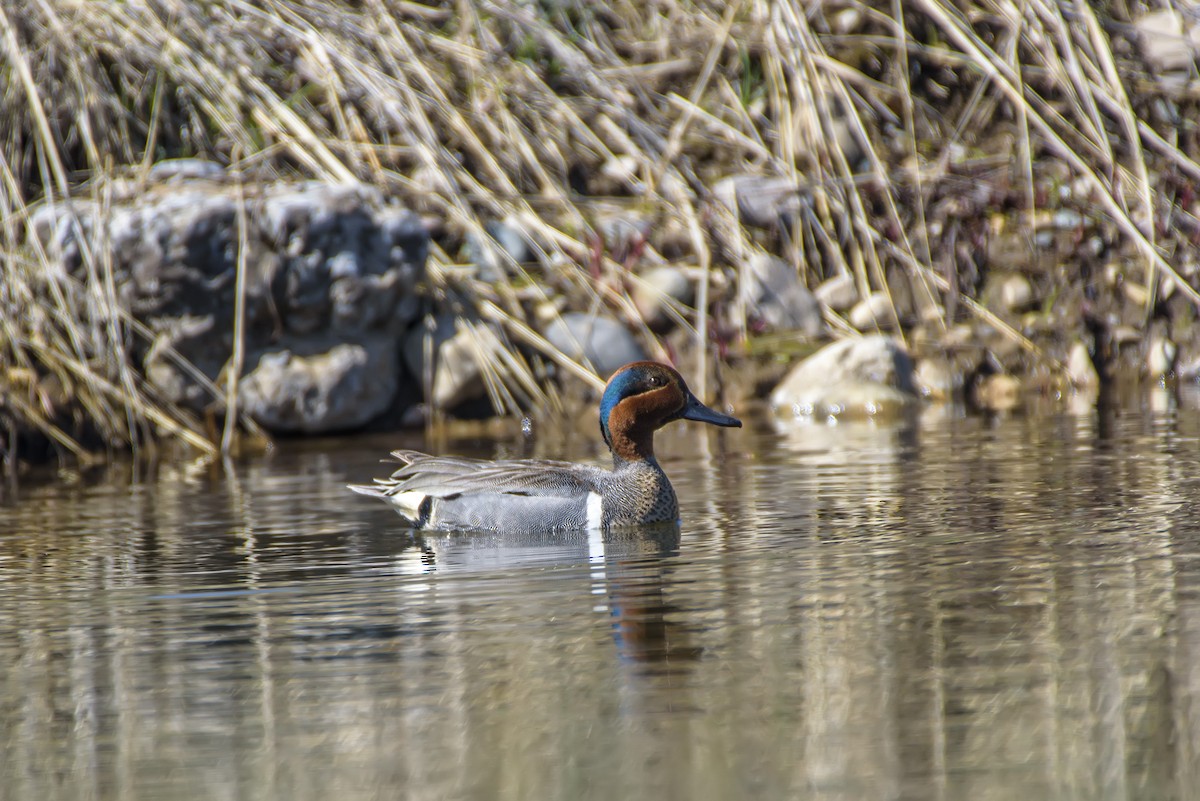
<point>327,266</point>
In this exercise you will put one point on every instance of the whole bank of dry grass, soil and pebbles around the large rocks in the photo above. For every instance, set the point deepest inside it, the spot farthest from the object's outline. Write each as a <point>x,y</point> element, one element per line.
<point>926,154</point>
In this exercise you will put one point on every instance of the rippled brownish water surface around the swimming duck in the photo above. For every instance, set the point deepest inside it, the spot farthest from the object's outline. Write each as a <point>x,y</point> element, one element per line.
<point>956,609</point>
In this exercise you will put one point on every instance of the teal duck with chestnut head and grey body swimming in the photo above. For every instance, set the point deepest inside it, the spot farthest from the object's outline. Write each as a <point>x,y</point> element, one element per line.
<point>457,493</point>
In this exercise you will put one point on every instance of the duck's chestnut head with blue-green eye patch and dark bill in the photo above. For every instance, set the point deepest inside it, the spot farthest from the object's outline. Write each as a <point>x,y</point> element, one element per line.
<point>644,398</point>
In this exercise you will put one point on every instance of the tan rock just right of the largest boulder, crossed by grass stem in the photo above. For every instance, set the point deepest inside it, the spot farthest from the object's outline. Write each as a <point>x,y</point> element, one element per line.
<point>458,377</point>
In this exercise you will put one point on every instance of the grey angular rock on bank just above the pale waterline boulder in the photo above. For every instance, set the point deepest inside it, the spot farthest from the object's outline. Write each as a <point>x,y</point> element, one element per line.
<point>773,298</point>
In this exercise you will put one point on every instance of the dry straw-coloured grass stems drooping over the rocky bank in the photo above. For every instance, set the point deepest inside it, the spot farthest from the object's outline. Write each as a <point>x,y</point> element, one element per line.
<point>488,110</point>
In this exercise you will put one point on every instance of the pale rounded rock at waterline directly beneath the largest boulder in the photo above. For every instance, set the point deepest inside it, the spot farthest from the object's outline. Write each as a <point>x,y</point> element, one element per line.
<point>338,389</point>
